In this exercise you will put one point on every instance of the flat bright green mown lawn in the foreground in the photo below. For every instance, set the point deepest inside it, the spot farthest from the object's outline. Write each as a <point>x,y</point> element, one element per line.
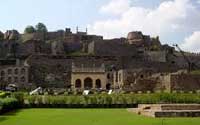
<point>87,117</point>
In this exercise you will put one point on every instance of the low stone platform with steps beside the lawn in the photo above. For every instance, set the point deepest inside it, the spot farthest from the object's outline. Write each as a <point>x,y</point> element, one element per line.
<point>168,110</point>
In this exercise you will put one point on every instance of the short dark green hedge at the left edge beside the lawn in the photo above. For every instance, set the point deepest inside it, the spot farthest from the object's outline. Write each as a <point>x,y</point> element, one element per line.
<point>8,104</point>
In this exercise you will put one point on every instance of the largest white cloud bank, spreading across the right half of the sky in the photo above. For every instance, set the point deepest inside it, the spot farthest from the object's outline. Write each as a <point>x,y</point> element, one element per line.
<point>169,18</point>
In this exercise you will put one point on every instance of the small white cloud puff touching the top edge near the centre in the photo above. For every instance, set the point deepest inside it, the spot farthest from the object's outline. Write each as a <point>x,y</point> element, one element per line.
<point>116,7</point>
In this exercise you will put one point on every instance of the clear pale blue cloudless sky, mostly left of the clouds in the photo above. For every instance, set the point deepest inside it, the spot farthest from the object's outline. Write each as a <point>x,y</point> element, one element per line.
<point>56,14</point>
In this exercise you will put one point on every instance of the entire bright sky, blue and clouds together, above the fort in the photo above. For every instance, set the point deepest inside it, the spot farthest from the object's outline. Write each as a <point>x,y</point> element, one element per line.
<point>109,21</point>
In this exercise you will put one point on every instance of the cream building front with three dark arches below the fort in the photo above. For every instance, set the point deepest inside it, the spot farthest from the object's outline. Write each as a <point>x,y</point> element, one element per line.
<point>88,77</point>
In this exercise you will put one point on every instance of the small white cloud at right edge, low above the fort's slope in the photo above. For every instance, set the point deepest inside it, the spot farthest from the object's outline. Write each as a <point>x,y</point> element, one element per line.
<point>192,43</point>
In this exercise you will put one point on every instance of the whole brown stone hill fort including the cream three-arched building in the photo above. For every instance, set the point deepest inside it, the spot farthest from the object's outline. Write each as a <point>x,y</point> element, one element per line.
<point>63,59</point>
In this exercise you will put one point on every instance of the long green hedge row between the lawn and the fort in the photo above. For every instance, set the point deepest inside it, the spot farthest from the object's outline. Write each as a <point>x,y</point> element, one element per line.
<point>109,101</point>
